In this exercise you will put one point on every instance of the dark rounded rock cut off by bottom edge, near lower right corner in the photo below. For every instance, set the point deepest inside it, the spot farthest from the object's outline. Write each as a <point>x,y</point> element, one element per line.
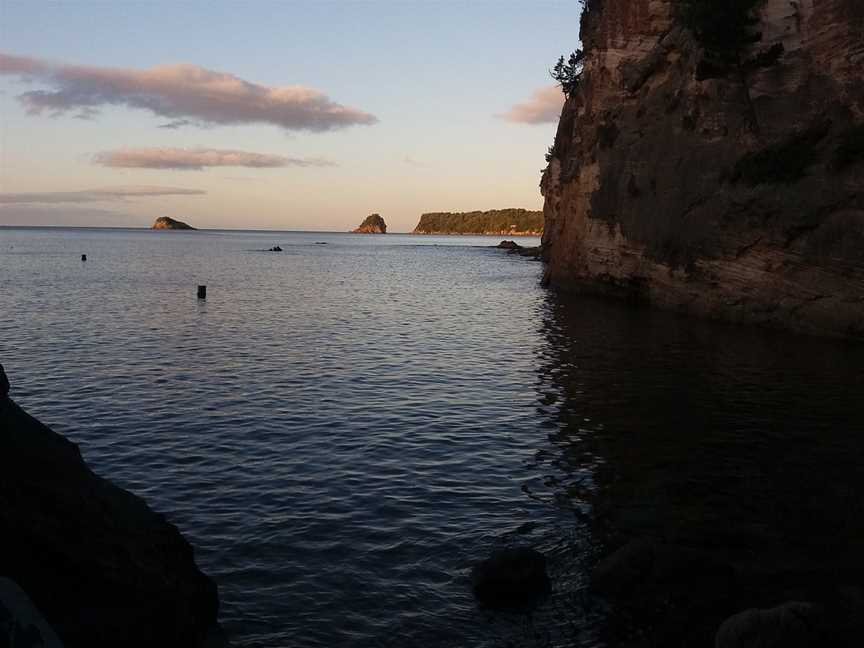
<point>791,625</point>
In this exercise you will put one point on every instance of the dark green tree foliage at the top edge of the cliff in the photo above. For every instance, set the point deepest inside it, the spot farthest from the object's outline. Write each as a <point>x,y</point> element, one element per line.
<point>723,28</point>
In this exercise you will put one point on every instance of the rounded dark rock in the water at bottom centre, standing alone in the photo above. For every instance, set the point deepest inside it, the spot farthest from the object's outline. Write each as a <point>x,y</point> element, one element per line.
<point>511,578</point>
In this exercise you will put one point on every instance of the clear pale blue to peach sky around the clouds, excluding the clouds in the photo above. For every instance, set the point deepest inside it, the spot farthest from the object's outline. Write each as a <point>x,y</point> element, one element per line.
<point>435,74</point>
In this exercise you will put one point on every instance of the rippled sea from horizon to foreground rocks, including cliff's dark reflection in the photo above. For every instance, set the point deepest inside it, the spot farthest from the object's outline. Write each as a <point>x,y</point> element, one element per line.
<point>342,429</point>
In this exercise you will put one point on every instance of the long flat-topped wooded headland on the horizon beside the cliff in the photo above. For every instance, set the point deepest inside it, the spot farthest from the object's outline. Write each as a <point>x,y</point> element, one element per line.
<point>512,222</point>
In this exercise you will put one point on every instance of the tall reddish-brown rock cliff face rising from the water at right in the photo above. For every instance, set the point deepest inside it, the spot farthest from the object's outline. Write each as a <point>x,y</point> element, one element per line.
<point>737,194</point>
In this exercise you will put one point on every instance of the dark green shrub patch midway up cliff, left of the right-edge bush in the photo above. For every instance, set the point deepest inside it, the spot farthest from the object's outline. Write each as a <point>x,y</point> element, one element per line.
<point>784,162</point>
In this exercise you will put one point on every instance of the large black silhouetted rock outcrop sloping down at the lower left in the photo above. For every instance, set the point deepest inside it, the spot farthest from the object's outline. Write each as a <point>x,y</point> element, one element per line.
<point>95,560</point>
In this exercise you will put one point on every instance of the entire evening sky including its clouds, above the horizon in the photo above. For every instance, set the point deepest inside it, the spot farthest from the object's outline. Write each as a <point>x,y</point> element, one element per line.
<point>289,115</point>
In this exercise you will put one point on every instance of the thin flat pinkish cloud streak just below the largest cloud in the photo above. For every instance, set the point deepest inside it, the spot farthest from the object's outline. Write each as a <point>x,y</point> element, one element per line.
<point>197,159</point>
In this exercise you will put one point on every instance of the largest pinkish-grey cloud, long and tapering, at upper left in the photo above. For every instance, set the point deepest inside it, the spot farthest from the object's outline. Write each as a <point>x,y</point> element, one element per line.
<point>178,92</point>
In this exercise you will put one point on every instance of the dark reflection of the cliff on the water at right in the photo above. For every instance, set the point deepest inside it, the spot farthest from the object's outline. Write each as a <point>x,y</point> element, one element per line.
<point>741,443</point>
